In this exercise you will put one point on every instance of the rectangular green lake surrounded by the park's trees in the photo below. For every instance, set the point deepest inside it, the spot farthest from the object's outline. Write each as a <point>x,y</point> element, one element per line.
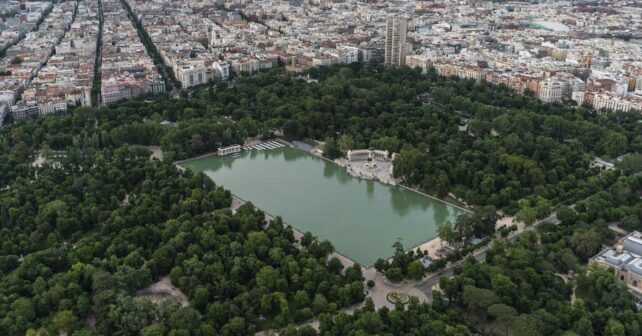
<point>361,218</point>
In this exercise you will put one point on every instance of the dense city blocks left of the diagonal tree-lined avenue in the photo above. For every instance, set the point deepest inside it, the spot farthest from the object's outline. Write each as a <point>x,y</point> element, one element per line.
<point>54,66</point>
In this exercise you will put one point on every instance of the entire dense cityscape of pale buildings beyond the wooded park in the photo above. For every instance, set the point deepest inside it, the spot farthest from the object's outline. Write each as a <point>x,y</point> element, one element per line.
<point>553,50</point>
